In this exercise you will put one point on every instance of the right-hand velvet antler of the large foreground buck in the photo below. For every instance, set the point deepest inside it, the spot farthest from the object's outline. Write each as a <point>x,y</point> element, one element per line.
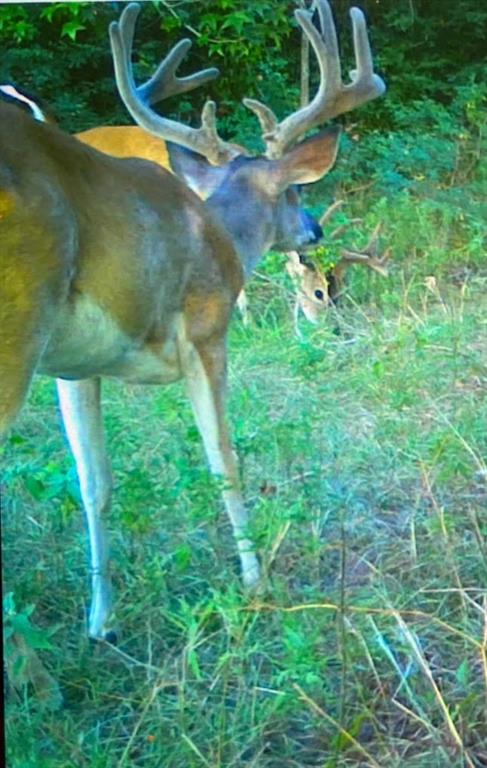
<point>333,97</point>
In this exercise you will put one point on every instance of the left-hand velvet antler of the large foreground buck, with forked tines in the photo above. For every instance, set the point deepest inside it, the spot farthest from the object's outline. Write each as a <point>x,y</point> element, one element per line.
<point>164,83</point>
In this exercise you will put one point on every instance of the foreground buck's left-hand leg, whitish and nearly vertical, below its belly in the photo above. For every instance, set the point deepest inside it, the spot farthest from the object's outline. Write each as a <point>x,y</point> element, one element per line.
<point>80,408</point>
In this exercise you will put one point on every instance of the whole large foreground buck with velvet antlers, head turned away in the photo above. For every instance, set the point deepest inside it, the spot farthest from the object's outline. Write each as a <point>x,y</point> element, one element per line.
<point>114,267</point>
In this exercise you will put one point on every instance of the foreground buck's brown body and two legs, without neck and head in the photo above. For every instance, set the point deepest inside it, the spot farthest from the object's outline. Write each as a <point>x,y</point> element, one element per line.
<point>111,267</point>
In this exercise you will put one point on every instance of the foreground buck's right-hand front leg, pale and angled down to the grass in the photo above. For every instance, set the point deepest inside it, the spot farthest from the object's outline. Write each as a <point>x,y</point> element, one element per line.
<point>205,372</point>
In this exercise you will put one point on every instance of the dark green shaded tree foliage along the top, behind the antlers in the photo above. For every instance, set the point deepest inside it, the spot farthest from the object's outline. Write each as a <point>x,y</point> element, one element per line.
<point>425,48</point>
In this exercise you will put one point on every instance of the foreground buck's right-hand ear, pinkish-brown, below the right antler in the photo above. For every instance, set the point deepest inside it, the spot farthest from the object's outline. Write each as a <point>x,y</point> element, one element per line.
<point>309,161</point>
